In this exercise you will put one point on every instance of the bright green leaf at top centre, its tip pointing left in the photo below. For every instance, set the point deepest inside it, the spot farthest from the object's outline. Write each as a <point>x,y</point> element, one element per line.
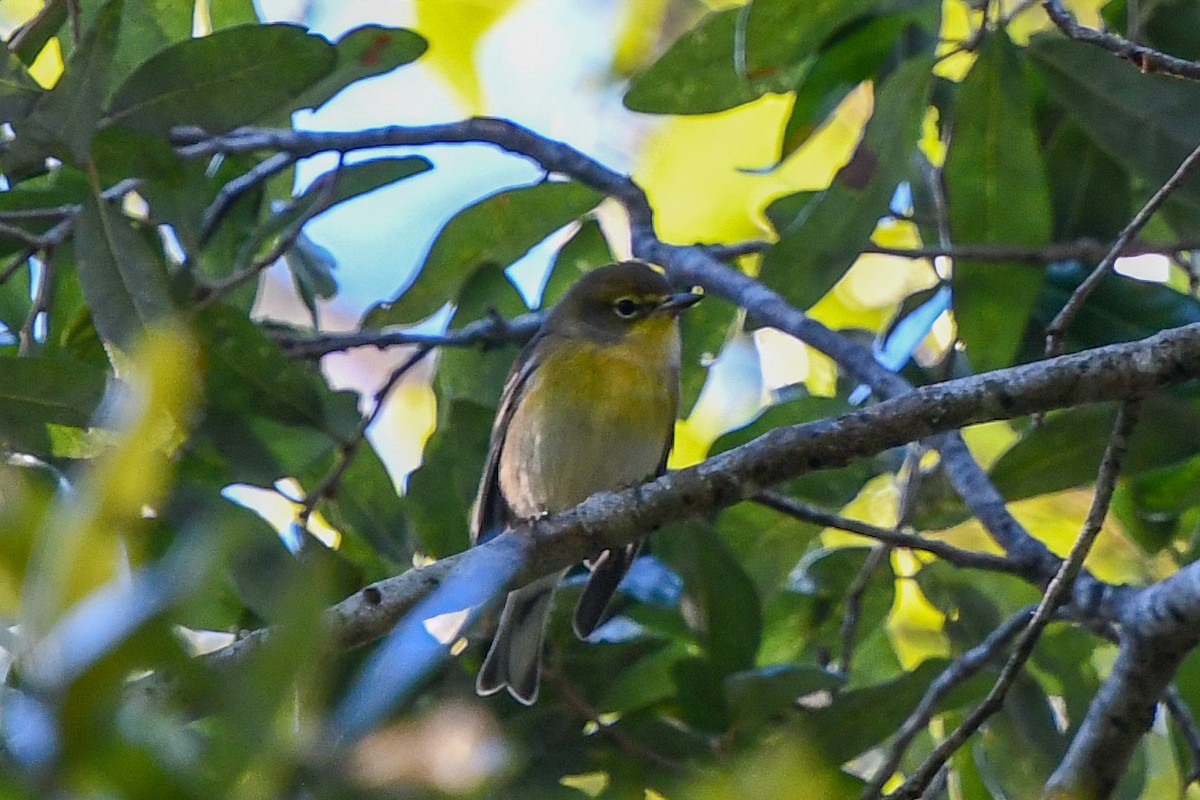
<point>700,75</point>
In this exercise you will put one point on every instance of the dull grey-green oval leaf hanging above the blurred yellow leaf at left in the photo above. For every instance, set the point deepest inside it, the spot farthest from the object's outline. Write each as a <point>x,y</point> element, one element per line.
<point>123,280</point>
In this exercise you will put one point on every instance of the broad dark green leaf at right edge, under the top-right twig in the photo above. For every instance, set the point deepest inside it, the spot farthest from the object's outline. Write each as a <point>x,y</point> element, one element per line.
<point>1131,116</point>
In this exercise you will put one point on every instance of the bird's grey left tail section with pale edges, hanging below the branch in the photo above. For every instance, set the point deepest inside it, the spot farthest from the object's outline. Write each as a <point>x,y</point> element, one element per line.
<point>514,661</point>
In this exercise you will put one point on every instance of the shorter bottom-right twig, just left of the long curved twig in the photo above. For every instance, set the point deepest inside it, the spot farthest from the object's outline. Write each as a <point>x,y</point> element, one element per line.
<point>958,672</point>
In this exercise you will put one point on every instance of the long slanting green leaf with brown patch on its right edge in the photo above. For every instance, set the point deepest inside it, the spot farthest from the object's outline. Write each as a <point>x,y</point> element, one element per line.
<point>823,233</point>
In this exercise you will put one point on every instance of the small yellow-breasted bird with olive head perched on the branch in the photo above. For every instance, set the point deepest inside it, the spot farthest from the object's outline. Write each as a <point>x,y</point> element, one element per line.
<point>590,406</point>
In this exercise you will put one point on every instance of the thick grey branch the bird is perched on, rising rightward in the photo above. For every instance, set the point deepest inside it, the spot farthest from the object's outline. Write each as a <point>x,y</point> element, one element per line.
<point>613,519</point>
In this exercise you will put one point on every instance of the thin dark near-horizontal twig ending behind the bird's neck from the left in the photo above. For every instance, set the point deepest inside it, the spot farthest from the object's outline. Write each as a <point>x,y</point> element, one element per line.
<point>488,332</point>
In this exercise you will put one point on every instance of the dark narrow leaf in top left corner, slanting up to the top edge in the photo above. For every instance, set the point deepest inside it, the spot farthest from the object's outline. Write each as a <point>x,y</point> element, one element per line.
<point>64,121</point>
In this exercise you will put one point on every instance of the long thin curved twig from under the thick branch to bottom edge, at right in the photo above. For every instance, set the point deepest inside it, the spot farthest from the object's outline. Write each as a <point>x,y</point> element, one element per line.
<point>1057,594</point>
